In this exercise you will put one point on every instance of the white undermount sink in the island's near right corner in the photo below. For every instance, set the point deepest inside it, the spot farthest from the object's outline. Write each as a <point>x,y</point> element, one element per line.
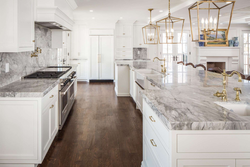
<point>241,109</point>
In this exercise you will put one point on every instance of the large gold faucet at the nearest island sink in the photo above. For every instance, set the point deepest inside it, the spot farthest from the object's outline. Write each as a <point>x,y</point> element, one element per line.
<point>223,94</point>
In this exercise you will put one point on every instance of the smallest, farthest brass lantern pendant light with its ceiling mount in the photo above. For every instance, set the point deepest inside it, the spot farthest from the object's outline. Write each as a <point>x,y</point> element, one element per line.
<point>150,32</point>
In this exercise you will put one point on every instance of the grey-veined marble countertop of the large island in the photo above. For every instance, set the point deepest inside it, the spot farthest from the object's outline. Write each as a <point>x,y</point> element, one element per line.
<point>186,101</point>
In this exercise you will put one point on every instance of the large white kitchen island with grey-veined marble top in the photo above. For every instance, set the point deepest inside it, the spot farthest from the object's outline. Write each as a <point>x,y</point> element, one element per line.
<point>184,124</point>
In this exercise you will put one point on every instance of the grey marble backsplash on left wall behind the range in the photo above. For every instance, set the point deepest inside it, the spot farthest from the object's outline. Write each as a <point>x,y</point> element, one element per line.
<point>22,63</point>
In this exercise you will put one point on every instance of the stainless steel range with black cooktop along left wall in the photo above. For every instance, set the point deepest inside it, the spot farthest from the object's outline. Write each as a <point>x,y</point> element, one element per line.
<point>66,88</point>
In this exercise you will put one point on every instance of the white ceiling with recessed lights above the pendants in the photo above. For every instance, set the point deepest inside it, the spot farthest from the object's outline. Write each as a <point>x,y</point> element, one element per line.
<point>136,10</point>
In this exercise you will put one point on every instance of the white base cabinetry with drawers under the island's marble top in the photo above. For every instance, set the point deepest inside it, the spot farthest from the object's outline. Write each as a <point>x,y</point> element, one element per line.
<point>163,147</point>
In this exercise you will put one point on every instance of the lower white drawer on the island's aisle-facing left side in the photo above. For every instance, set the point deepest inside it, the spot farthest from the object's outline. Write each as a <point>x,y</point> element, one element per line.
<point>156,146</point>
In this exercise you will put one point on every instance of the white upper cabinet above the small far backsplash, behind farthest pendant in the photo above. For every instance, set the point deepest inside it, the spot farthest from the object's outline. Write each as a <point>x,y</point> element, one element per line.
<point>138,37</point>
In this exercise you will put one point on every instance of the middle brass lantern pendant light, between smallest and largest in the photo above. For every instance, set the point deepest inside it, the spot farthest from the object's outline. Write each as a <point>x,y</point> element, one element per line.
<point>170,25</point>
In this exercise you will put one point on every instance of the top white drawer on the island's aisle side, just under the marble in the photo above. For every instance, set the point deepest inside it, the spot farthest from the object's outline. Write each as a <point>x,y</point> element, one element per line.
<point>157,125</point>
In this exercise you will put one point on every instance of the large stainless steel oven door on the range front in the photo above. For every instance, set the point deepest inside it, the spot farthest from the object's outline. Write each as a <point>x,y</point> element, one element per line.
<point>66,101</point>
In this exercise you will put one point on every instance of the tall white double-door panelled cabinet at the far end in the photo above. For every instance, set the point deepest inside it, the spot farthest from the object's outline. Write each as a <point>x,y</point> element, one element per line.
<point>101,57</point>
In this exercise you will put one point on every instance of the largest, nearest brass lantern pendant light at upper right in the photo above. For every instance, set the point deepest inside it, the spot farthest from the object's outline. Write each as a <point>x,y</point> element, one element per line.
<point>205,17</point>
